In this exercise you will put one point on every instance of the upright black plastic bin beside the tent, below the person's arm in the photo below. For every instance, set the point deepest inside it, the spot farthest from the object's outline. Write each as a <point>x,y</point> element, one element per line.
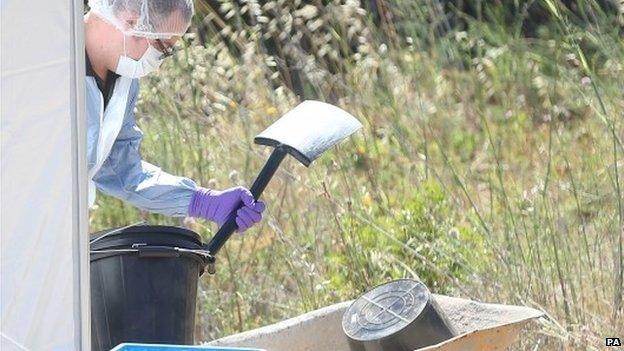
<point>144,285</point>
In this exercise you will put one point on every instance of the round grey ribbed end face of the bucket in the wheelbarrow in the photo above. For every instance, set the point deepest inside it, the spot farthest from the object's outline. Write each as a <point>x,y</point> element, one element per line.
<point>385,310</point>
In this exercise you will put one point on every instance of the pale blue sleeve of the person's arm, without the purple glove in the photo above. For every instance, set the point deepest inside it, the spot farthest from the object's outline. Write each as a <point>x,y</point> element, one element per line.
<point>126,176</point>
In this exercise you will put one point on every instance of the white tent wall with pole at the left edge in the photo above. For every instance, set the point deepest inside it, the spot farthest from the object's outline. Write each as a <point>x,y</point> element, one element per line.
<point>44,263</point>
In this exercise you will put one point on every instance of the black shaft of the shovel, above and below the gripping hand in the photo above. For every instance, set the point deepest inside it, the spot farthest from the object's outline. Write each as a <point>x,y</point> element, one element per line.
<point>256,189</point>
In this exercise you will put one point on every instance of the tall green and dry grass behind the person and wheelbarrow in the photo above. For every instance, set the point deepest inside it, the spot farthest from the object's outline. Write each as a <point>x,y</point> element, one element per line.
<point>489,166</point>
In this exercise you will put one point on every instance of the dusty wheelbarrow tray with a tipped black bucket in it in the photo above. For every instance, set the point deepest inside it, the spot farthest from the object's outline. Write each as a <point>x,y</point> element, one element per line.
<point>480,326</point>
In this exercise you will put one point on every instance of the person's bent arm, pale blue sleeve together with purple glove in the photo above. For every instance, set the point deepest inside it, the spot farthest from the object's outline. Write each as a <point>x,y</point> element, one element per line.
<point>127,177</point>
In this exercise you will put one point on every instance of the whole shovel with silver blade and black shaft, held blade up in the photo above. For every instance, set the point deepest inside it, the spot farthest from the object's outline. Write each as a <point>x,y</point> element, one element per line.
<point>305,132</point>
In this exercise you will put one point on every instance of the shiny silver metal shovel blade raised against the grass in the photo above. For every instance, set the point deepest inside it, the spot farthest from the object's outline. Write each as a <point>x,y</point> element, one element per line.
<point>309,129</point>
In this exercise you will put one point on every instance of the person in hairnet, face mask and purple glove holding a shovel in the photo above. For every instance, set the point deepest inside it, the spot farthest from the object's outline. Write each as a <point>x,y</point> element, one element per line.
<point>126,40</point>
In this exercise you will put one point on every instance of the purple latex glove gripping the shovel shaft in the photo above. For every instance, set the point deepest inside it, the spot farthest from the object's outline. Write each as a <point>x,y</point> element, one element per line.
<point>216,206</point>
